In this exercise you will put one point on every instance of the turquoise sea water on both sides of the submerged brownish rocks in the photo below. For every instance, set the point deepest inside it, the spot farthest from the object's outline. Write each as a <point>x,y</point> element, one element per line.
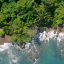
<point>49,53</point>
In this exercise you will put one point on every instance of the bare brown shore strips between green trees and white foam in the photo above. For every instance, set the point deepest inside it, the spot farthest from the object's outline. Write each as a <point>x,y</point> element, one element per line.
<point>7,38</point>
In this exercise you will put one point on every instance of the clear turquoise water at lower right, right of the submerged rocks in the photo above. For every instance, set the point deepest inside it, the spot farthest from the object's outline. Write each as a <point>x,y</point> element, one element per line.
<point>50,54</point>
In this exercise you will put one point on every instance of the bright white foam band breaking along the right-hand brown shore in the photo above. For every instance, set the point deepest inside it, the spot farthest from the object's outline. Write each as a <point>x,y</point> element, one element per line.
<point>44,36</point>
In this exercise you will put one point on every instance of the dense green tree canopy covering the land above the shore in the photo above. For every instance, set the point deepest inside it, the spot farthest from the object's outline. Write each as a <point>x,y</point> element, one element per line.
<point>19,18</point>
